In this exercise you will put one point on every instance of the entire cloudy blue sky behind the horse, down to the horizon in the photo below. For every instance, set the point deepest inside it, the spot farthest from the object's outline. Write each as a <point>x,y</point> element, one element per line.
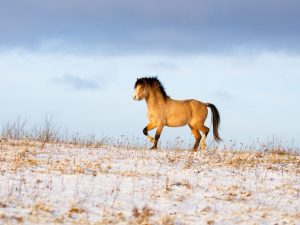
<point>78,61</point>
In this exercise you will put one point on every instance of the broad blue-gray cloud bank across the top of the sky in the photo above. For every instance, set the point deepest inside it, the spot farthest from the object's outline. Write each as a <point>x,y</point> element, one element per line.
<point>139,26</point>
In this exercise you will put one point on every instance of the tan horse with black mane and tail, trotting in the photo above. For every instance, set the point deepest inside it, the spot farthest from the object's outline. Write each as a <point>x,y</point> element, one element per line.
<point>164,111</point>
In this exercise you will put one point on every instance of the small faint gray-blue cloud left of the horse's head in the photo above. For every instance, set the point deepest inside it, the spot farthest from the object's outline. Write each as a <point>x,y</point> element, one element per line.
<point>76,82</point>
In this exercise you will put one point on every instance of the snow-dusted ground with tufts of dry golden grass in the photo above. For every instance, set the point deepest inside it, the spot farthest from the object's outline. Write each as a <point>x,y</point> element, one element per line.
<point>56,183</point>
